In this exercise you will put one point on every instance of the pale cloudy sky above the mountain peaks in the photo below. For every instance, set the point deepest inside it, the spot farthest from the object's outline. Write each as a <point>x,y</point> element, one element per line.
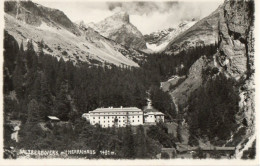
<point>147,16</point>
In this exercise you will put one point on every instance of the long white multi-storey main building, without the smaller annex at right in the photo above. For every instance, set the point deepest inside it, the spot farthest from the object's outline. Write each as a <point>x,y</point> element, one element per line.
<point>120,117</point>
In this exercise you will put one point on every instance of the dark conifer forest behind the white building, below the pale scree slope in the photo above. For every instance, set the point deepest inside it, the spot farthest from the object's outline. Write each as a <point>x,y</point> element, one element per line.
<point>59,88</point>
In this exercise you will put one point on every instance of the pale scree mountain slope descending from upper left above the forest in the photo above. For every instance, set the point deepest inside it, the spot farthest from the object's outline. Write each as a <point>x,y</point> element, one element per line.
<point>26,20</point>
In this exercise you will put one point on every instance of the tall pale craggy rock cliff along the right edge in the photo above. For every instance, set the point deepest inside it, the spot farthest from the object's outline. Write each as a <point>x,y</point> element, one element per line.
<point>236,54</point>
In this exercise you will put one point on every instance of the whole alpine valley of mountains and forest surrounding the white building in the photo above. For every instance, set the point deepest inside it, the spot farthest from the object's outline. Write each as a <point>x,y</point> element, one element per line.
<point>198,74</point>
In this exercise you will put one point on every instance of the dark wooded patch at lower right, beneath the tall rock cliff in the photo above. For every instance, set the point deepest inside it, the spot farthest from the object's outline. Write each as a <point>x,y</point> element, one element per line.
<point>212,108</point>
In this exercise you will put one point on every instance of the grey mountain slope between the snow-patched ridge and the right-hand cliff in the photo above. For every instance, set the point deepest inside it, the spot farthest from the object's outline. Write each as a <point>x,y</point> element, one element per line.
<point>204,32</point>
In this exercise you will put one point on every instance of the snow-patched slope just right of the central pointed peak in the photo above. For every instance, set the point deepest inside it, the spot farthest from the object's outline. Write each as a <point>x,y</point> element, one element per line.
<point>157,41</point>
